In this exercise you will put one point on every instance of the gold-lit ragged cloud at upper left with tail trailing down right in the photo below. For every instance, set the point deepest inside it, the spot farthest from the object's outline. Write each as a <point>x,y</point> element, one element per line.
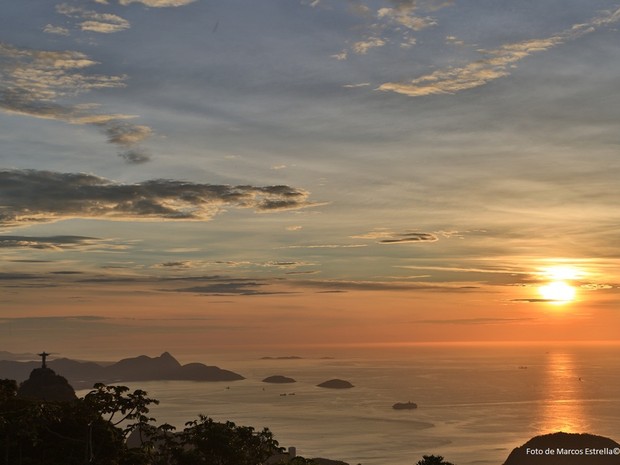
<point>33,82</point>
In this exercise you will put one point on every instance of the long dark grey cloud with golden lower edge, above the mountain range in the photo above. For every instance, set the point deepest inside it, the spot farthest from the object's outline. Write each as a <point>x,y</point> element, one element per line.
<point>30,196</point>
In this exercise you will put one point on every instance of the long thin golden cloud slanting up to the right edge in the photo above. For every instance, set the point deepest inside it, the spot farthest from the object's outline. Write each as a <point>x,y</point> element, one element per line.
<point>496,64</point>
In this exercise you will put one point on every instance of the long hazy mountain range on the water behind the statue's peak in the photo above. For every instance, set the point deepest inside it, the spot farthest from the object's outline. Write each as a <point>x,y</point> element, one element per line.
<point>142,368</point>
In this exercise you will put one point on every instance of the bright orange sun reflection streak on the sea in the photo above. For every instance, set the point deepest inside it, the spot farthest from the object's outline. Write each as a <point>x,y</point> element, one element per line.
<point>563,388</point>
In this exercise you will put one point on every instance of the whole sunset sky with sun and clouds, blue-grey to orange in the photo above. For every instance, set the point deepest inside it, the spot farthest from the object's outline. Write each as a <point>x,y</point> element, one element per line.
<point>199,175</point>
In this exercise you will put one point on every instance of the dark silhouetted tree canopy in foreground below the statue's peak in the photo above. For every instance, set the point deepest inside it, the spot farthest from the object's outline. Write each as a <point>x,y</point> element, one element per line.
<point>93,430</point>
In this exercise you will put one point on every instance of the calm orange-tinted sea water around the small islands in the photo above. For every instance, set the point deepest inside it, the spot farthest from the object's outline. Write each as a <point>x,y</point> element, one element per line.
<point>475,403</point>
